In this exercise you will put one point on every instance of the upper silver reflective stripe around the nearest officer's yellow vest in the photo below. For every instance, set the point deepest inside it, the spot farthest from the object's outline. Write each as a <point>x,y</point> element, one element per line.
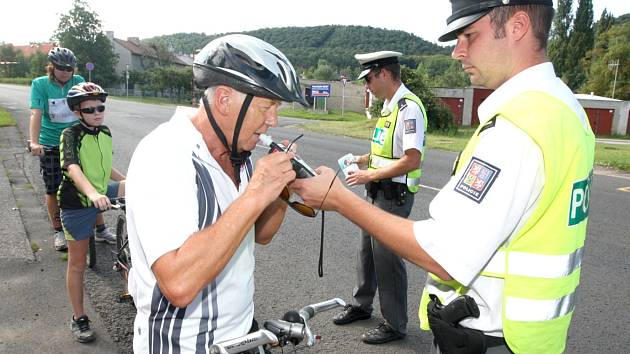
<point>536,265</point>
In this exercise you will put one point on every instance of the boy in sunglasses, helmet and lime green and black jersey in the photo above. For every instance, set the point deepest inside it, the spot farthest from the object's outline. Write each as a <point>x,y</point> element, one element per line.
<point>86,162</point>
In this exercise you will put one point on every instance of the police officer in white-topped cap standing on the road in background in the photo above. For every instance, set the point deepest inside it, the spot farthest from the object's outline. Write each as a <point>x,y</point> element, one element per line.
<point>391,175</point>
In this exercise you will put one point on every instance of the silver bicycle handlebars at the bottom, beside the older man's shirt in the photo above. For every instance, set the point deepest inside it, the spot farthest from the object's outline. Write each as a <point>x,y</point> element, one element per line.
<point>292,328</point>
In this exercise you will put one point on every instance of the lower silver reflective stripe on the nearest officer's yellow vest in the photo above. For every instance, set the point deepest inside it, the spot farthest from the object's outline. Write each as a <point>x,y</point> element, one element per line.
<point>528,310</point>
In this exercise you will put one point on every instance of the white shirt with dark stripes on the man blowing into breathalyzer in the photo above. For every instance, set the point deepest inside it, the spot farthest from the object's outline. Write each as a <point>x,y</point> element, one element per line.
<point>174,188</point>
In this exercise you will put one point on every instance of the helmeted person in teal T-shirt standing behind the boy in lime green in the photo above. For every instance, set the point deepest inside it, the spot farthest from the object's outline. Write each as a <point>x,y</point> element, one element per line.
<point>50,115</point>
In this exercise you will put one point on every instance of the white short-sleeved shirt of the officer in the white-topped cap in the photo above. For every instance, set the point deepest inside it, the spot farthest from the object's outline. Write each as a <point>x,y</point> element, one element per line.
<point>405,138</point>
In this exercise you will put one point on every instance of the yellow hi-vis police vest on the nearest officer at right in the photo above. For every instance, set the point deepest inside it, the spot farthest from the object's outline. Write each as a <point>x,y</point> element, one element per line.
<point>540,265</point>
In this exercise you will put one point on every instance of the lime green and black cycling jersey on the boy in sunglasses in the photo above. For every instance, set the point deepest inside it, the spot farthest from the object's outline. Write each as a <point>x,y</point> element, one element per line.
<point>92,151</point>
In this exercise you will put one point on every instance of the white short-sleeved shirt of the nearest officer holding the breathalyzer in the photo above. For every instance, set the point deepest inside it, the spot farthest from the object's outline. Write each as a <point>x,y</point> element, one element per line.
<point>463,235</point>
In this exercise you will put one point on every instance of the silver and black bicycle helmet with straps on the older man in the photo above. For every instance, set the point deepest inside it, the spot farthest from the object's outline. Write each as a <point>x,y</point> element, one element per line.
<point>251,66</point>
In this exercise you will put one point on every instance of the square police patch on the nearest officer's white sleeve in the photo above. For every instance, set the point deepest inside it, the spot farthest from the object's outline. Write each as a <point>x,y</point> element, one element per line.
<point>477,179</point>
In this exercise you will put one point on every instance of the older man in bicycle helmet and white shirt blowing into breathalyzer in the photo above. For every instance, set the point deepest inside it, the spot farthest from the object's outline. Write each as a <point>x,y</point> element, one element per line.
<point>195,205</point>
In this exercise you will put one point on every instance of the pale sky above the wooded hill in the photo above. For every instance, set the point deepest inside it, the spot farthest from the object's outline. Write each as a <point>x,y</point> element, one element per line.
<point>24,21</point>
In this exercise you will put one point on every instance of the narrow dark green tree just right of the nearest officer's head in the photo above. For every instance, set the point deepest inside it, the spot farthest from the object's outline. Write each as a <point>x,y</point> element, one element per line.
<point>559,37</point>
